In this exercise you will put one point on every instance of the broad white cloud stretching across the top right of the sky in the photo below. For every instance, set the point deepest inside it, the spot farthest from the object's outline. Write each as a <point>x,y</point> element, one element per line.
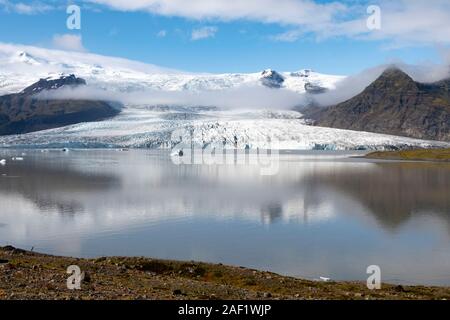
<point>404,22</point>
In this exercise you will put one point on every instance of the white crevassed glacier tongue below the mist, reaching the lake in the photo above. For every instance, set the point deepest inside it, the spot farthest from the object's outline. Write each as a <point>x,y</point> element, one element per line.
<point>166,127</point>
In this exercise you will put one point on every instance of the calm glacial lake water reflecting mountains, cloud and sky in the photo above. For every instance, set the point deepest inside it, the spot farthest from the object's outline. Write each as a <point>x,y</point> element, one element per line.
<point>322,215</point>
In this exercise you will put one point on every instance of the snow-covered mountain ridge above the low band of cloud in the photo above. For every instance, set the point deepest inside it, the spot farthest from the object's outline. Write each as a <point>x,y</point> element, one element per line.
<point>21,66</point>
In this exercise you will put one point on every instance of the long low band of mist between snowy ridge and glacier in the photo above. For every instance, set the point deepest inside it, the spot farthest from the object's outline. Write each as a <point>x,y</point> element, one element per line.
<point>257,96</point>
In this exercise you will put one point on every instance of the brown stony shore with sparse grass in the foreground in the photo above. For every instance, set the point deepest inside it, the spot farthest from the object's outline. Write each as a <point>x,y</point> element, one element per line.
<point>29,275</point>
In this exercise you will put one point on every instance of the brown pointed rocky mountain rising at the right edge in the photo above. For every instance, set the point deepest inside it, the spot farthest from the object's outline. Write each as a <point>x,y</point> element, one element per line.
<point>393,104</point>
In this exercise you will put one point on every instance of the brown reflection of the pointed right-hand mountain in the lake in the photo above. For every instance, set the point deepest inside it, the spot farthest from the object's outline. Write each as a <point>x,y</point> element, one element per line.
<point>395,192</point>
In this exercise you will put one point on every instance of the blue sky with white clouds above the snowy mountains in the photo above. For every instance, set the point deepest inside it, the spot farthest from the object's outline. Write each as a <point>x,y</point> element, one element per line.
<point>220,36</point>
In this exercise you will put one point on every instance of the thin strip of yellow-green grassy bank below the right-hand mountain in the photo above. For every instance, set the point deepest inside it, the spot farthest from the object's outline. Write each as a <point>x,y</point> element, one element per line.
<point>419,155</point>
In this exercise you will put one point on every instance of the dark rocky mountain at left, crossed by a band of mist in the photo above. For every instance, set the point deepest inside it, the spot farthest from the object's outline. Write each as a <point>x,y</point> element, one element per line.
<point>24,112</point>
